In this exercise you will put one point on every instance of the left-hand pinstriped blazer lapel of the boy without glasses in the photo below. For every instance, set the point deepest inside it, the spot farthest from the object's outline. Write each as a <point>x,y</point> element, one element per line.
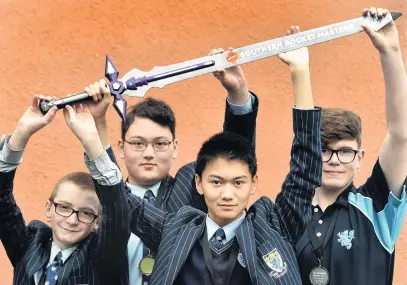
<point>186,239</point>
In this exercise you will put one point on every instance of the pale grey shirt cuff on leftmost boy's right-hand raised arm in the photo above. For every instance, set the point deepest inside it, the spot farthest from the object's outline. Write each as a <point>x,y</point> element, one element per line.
<point>103,170</point>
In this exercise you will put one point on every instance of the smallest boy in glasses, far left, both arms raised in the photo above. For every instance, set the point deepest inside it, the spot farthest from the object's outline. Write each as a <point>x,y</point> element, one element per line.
<point>87,214</point>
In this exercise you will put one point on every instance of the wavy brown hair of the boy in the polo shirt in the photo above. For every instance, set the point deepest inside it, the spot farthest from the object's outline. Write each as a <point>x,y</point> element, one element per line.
<point>339,124</point>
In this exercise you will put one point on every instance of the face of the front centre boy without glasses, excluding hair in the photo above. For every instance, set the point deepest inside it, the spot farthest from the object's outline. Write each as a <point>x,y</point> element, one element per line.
<point>227,186</point>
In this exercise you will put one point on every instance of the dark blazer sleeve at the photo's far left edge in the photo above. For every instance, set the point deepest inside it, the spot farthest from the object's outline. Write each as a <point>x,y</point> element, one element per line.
<point>14,233</point>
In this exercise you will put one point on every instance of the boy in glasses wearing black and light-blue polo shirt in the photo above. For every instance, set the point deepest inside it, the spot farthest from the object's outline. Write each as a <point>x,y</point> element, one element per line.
<point>352,236</point>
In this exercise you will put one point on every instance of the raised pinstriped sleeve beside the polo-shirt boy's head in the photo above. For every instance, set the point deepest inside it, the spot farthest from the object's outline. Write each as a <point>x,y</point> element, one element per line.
<point>294,202</point>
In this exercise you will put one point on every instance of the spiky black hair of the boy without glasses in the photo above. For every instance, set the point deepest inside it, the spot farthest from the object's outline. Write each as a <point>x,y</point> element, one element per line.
<point>229,146</point>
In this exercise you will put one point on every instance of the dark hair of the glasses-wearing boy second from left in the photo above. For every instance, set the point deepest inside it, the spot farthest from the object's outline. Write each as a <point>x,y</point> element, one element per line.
<point>156,110</point>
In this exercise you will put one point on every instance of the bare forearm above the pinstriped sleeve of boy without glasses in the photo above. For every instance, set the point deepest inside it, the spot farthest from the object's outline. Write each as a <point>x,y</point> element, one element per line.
<point>301,81</point>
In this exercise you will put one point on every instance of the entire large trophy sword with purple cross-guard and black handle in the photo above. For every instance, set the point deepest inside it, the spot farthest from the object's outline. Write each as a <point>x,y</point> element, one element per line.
<point>137,83</point>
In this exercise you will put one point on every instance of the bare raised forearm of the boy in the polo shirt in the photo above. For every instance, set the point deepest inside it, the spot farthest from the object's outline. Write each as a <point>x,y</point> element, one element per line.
<point>396,93</point>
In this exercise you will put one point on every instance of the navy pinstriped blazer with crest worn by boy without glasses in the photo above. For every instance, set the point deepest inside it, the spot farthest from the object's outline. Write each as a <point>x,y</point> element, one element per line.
<point>266,236</point>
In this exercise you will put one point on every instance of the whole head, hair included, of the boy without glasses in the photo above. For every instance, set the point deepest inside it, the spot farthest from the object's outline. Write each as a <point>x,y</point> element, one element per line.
<point>226,175</point>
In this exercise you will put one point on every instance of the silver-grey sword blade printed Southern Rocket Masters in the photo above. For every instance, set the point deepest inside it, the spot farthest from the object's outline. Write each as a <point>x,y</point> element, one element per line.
<point>159,77</point>
